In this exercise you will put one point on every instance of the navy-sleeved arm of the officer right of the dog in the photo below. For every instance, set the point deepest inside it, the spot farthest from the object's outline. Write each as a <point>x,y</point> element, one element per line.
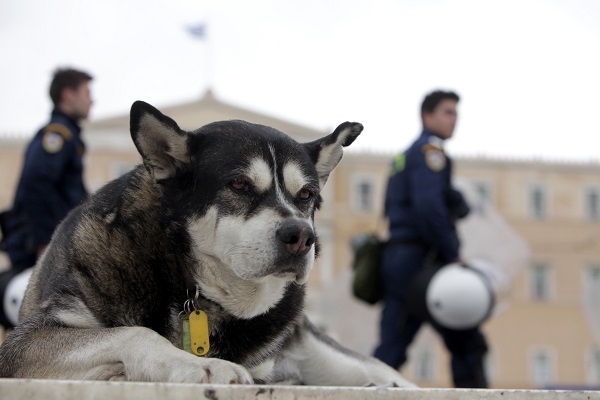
<point>428,198</point>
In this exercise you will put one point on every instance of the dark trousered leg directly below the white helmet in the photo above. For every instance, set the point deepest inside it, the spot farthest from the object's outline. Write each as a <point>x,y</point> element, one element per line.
<point>467,348</point>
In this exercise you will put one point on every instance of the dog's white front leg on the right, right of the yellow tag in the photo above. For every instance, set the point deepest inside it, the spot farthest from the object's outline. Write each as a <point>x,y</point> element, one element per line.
<point>313,358</point>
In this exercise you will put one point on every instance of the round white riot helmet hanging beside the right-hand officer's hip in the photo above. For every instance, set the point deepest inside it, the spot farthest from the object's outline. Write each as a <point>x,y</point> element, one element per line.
<point>459,297</point>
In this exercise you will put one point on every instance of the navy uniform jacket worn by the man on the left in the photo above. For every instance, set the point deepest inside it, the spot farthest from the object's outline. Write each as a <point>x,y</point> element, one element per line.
<point>51,184</point>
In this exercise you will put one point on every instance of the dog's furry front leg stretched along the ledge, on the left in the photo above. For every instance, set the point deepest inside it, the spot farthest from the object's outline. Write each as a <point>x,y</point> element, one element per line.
<point>124,353</point>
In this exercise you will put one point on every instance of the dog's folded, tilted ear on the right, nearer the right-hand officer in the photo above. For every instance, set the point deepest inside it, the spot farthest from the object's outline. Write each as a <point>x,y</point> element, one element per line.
<point>327,152</point>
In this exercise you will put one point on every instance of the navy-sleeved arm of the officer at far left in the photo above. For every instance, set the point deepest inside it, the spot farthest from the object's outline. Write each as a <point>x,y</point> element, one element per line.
<point>43,205</point>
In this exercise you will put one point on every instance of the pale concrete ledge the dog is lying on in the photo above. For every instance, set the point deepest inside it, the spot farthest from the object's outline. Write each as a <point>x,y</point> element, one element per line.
<point>23,389</point>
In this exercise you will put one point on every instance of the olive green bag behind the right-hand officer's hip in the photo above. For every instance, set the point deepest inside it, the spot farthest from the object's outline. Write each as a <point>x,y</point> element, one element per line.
<point>366,282</point>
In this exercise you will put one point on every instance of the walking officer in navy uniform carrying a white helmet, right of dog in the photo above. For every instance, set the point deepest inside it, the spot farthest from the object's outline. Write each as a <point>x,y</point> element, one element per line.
<point>421,207</point>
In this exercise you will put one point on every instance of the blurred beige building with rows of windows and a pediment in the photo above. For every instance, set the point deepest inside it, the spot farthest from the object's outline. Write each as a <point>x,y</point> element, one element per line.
<point>542,333</point>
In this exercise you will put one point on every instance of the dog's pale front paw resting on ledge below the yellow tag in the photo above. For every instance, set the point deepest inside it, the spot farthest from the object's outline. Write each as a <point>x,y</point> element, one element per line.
<point>209,370</point>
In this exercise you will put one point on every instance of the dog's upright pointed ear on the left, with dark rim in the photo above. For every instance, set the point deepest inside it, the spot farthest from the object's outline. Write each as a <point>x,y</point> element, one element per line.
<point>160,142</point>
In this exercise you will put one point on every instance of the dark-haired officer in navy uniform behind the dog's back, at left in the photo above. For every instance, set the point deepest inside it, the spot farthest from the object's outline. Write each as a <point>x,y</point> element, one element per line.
<point>51,182</point>
